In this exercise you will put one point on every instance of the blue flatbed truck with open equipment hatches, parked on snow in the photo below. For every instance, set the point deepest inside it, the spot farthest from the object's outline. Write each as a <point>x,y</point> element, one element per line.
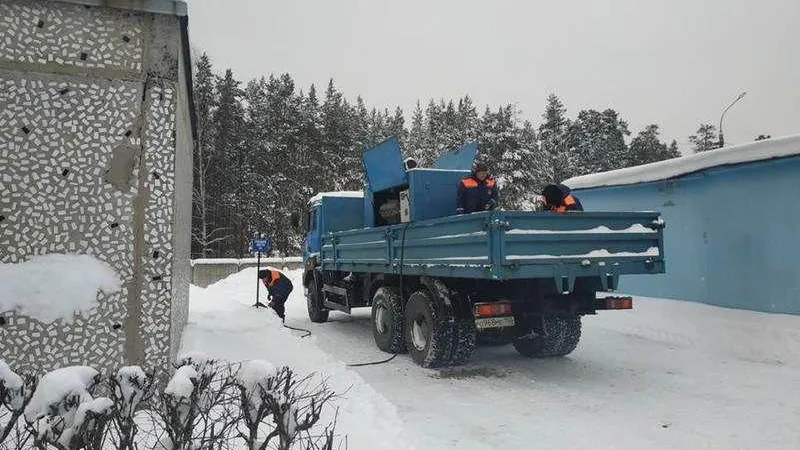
<point>439,283</point>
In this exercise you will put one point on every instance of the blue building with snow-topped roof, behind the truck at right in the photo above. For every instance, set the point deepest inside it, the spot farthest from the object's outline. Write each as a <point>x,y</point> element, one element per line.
<point>732,219</point>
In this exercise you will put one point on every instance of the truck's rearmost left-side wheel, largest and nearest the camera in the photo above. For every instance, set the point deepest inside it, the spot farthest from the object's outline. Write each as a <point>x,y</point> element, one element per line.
<point>429,334</point>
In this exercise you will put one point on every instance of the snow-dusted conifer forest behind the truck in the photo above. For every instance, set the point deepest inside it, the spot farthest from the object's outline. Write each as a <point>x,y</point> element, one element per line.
<point>267,145</point>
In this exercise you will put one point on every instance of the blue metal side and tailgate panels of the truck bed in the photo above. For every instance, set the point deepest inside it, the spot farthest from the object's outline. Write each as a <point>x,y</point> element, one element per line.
<point>505,245</point>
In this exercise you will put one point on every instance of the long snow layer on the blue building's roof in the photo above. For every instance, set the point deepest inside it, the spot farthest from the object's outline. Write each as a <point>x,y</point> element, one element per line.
<point>671,168</point>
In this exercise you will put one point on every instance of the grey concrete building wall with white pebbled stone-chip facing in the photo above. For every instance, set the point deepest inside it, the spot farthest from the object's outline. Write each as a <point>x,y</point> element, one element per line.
<point>93,138</point>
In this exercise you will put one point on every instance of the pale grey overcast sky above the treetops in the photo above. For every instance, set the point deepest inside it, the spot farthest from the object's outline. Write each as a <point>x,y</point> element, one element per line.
<point>675,63</point>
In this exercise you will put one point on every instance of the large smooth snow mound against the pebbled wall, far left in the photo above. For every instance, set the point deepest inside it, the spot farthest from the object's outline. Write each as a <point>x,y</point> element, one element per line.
<point>55,286</point>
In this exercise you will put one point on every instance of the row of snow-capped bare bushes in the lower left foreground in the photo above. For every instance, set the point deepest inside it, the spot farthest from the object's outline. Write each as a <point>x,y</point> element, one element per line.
<point>205,404</point>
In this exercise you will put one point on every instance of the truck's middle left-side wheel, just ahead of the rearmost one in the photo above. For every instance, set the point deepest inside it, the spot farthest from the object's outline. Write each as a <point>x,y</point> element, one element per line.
<point>387,320</point>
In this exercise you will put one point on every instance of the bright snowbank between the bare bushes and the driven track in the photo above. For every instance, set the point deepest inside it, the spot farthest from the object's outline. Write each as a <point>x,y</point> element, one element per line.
<point>223,324</point>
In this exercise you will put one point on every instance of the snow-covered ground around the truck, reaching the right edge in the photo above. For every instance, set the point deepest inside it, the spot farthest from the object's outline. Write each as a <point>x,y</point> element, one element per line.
<point>665,375</point>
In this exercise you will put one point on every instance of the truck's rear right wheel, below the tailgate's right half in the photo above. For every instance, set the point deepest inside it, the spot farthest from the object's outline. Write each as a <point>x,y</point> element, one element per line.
<point>560,338</point>
